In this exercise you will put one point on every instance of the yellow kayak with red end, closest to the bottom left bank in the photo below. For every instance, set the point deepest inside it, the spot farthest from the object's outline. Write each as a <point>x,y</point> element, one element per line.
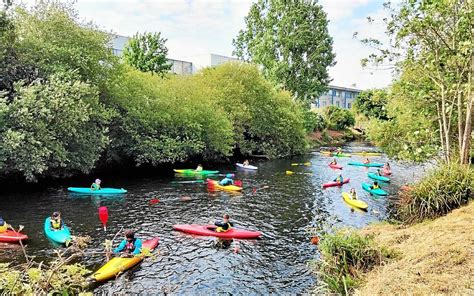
<point>118,265</point>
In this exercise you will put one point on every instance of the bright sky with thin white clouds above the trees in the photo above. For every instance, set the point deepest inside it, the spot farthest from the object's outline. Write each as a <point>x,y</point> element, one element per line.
<point>195,27</point>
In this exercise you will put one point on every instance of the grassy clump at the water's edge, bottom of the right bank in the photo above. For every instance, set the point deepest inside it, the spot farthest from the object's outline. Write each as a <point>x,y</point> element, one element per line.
<point>344,255</point>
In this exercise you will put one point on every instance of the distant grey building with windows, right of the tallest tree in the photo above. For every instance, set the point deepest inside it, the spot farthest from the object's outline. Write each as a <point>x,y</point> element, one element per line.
<point>338,96</point>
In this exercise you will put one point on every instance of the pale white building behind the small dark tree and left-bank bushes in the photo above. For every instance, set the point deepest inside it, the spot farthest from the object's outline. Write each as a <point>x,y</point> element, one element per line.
<point>178,66</point>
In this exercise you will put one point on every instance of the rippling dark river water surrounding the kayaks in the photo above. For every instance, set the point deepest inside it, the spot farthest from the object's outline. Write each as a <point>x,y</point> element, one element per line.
<point>276,263</point>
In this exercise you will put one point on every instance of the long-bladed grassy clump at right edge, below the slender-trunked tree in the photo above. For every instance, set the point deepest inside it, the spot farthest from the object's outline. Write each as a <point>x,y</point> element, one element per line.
<point>442,190</point>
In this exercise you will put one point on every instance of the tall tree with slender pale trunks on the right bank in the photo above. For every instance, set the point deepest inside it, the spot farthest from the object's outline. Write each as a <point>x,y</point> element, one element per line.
<point>434,38</point>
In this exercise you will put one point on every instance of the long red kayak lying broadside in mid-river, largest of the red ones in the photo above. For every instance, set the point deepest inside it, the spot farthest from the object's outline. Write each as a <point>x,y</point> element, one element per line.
<point>208,230</point>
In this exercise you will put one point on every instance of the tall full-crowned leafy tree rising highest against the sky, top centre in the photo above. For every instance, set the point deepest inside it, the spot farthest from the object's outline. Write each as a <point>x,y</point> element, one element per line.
<point>290,40</point>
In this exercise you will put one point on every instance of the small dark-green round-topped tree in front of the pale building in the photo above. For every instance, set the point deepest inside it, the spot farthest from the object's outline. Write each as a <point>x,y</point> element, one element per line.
<point>147,53</point>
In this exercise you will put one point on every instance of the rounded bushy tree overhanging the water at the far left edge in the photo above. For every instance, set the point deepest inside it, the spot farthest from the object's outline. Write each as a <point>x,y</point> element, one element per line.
<point>53,128</point>
